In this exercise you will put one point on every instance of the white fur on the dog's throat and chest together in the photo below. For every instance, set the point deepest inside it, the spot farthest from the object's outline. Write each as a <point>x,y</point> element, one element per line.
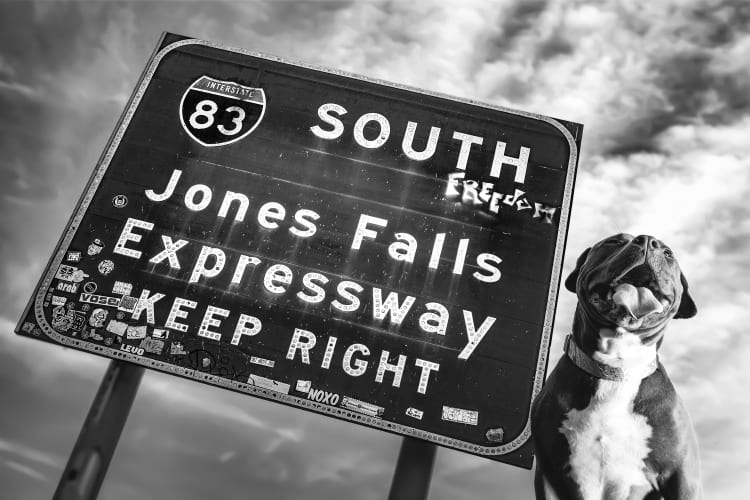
<point>608,441</point>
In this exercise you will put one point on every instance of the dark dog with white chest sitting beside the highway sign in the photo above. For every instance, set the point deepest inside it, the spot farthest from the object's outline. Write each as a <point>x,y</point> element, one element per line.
<point>608,423</point>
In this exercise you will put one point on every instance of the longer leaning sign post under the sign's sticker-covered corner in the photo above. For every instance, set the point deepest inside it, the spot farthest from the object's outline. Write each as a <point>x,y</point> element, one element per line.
<point>88,462</point>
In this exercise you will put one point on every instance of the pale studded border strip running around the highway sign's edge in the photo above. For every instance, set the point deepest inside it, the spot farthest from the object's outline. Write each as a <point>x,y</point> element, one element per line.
<point>103,165</point>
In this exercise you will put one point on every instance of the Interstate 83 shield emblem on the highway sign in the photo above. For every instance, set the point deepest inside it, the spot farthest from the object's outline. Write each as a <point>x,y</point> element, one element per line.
<point>217,112</point>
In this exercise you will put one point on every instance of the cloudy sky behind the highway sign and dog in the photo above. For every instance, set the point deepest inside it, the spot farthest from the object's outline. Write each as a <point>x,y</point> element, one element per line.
<point>662,88</point>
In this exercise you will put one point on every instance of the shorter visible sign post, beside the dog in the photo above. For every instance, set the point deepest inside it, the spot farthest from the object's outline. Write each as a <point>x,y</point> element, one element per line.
<point>411,480</point>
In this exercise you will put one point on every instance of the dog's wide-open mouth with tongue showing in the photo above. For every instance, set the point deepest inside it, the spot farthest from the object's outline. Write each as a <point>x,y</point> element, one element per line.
<point>631,296</point>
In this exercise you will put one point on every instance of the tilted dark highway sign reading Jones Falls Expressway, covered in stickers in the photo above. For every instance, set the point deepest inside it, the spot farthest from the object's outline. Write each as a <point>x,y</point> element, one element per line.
<point>380,254</point>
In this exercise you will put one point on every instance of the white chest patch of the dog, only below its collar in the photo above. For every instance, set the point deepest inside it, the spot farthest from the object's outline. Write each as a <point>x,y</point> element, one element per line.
<point>609,443</point>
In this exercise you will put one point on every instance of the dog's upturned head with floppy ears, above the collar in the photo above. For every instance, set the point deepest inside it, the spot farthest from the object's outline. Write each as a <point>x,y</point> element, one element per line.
<point>631,282</point>
